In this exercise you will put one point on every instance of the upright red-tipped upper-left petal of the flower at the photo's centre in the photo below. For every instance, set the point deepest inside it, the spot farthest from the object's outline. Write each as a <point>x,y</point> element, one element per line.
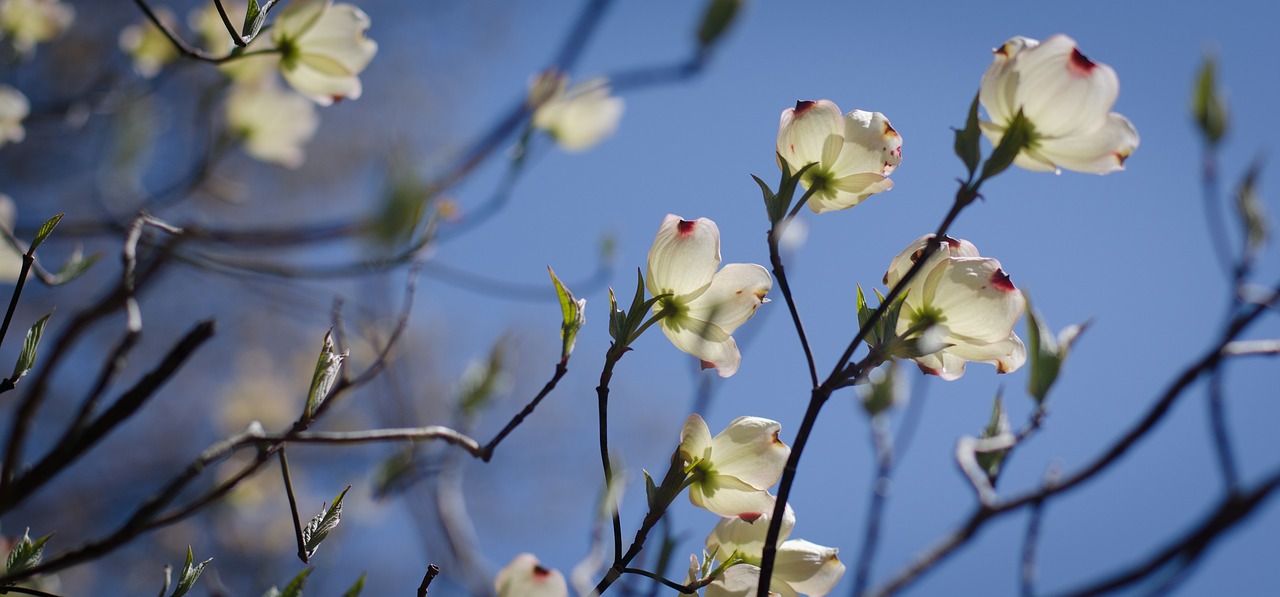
<point>684,259</point>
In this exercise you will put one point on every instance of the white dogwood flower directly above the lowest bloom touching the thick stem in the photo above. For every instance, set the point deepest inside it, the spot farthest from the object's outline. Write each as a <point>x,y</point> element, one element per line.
<point>733,471</point>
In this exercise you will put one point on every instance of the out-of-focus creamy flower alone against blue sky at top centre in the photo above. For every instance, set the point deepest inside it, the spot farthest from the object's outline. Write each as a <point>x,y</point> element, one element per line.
<point>578,119</point>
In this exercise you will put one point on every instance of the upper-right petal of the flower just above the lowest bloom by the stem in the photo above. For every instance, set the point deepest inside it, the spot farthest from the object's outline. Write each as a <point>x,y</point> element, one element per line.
<point>749,449</point>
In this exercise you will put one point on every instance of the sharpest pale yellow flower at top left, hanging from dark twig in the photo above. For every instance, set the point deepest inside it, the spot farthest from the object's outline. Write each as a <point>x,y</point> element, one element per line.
<point>323,49</point>
